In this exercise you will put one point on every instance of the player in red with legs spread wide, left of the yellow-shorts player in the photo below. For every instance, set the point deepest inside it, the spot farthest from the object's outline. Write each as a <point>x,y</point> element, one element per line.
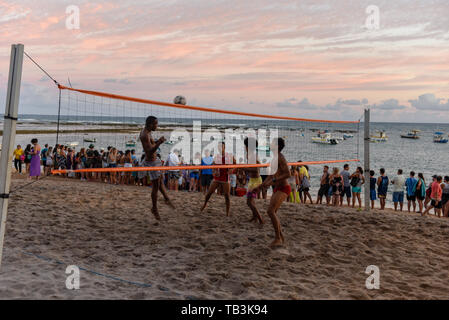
<point>221,179</point>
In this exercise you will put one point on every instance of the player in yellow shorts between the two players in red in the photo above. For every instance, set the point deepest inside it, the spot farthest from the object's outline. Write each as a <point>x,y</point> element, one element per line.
<point>255,180</point>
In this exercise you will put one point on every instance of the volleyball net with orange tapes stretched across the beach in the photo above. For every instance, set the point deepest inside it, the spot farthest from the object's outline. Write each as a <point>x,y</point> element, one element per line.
<point>104,120</point>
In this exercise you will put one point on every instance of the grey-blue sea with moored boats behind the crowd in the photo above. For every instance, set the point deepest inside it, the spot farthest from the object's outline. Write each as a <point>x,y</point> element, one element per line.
<point>421,155</point>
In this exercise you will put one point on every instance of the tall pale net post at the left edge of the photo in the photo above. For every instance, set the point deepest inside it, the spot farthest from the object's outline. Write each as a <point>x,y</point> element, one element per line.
<point>9,134</point>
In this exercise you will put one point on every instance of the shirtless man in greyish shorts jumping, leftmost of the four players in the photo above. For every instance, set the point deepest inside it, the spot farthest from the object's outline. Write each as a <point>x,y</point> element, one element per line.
<point>151,160</point>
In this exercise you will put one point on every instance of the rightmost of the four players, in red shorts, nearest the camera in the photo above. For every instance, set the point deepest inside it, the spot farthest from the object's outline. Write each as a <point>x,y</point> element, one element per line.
<point>282,189</point>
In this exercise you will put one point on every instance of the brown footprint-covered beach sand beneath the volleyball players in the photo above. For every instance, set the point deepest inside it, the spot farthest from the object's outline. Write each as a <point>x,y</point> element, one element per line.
<point>110,230</point>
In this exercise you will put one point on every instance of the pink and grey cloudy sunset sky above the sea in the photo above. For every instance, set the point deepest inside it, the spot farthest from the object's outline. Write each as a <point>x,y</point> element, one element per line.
<point>313,59</point>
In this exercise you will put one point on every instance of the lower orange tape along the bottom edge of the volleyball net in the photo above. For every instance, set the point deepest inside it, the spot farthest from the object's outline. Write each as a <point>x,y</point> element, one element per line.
<point>220,166</point>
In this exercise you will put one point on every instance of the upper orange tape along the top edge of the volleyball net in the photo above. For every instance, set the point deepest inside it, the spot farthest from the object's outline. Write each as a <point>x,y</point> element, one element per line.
<point>179,106</point>
